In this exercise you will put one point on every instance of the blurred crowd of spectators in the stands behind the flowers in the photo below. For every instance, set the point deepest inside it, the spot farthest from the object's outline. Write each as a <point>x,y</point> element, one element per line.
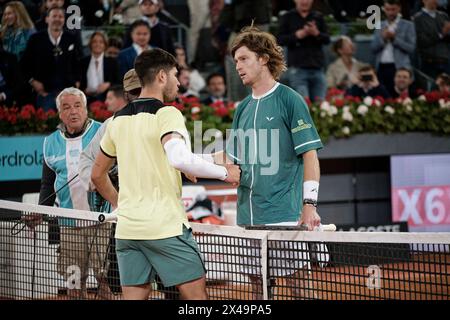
<point>40,54</point>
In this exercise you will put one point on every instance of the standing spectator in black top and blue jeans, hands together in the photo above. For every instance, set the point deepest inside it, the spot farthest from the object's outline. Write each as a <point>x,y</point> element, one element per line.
<point>304,32</point>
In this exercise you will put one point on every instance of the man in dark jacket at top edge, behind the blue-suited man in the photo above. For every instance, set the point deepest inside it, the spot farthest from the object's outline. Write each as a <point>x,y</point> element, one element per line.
<point>161,34</point>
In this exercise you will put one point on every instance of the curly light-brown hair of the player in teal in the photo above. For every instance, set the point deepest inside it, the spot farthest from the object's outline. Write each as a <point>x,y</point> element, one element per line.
<point>263,44</point>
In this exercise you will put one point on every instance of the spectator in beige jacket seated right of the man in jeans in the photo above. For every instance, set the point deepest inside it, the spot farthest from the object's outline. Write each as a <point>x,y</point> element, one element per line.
<point>343,72</point>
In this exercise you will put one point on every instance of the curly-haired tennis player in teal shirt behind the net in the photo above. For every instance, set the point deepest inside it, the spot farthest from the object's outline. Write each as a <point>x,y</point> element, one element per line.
<point>275,142</point>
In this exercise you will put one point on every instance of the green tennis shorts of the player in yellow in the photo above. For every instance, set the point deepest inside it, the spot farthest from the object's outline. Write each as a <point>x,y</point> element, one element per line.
<point>176,260</point>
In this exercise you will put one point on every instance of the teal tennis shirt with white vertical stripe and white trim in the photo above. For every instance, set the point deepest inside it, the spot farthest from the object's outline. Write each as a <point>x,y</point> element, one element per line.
<point>268,136</point>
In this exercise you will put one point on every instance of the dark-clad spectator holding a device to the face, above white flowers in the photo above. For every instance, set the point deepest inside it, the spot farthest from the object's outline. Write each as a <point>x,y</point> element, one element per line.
<point>368,84</point>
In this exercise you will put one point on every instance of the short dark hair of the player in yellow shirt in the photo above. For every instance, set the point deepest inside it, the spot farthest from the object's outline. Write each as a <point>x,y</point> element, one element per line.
<point>150,62</point>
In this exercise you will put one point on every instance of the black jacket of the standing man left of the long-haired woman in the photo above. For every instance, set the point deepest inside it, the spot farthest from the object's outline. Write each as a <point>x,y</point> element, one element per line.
<point>56,69</point>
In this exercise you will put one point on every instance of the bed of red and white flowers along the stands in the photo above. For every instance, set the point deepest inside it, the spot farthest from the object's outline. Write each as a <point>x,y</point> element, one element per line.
<point>338,116</point>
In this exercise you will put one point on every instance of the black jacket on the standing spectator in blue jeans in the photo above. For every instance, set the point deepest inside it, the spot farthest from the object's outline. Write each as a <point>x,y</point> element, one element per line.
<point>307,52</point>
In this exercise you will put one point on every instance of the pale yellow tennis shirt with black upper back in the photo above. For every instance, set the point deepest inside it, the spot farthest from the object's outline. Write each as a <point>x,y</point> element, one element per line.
<point>150,205</point>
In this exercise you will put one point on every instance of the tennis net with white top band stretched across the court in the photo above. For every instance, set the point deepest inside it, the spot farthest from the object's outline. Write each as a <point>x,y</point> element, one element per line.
<point>71,255</point>
